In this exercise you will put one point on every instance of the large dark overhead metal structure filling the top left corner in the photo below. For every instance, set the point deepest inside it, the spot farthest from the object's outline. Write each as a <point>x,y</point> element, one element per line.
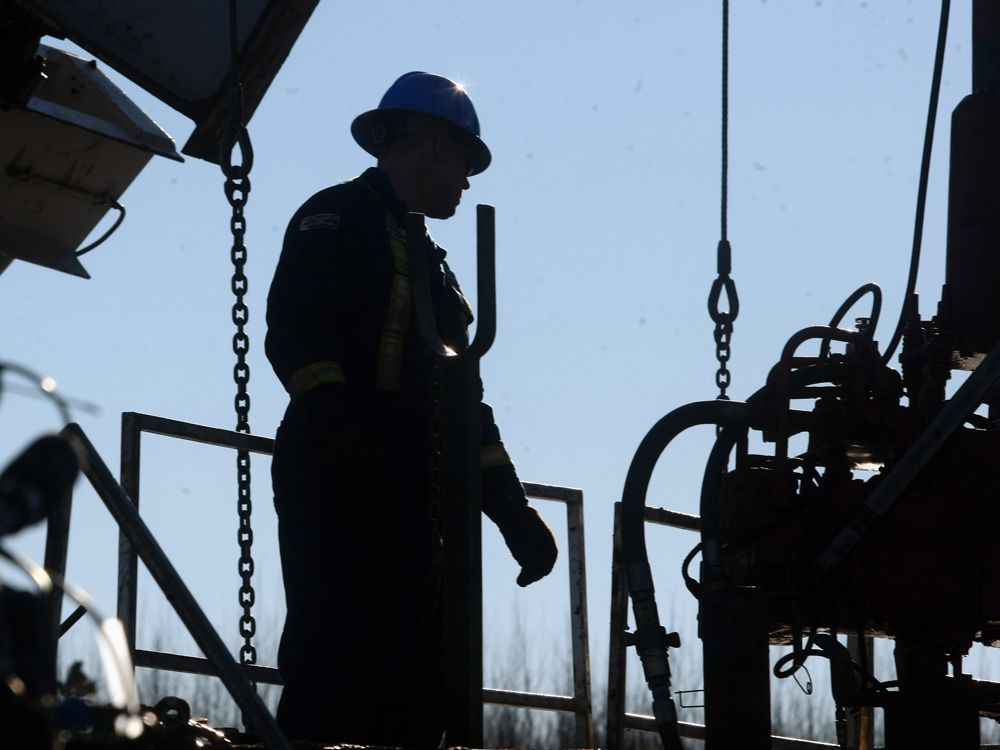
<point>71,142</point>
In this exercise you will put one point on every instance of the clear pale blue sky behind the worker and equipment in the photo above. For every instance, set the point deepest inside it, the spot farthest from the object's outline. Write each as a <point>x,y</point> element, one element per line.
<point>604,124</point>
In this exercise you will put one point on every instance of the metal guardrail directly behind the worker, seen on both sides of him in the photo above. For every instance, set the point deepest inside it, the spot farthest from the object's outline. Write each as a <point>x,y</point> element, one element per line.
<point>580,703</point>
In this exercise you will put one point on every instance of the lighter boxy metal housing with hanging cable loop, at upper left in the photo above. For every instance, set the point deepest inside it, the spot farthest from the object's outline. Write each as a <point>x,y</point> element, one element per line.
<point>68,154</point>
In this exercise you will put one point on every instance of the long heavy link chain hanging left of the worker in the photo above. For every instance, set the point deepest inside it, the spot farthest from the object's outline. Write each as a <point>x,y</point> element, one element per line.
<point>237,189</point>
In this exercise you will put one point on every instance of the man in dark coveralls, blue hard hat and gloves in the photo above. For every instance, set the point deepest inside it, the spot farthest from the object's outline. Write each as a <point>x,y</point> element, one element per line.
<point>361,654</point>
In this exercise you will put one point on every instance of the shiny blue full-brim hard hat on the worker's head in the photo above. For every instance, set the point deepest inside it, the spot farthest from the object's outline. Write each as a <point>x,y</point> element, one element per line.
<point>426,94</point>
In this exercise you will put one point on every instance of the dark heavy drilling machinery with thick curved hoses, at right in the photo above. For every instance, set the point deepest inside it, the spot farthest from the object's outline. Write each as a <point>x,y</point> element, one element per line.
<point>886,522</point>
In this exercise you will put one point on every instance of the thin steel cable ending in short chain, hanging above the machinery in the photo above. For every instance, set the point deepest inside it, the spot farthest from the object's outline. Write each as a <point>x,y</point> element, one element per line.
<point>723,317</point>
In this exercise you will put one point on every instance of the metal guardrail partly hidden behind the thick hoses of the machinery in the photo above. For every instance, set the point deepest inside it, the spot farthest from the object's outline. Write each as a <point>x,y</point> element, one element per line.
<point>617,719</point>
